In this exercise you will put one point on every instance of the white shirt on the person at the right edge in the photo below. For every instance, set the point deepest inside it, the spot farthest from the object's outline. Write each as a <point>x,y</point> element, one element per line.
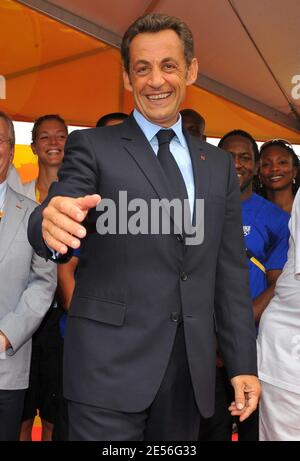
<point>279,328</point>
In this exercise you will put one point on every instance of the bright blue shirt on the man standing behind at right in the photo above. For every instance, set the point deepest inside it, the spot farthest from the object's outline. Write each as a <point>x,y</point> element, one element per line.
<point>266,235</point>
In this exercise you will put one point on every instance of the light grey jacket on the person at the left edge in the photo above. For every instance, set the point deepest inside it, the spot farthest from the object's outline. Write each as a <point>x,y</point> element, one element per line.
<point>27,286</point>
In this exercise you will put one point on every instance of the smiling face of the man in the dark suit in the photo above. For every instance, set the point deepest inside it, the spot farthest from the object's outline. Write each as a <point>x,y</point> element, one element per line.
<point>159,75</point>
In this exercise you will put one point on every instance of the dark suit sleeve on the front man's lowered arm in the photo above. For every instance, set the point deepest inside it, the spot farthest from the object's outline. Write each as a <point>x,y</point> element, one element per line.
<point>233,305</point>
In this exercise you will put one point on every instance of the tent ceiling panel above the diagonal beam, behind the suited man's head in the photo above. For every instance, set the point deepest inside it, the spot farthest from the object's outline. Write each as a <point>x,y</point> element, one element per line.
<point>248,50</point>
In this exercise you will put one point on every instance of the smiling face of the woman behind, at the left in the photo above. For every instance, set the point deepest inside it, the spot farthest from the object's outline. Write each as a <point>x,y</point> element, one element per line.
<point>50,142</point>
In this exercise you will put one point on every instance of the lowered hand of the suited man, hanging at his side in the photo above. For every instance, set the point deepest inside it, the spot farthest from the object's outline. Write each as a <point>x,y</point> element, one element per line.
<point>246,394</point>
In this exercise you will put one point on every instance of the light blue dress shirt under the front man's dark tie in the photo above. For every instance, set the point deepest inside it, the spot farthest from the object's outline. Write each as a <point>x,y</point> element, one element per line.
<point>178,148</point>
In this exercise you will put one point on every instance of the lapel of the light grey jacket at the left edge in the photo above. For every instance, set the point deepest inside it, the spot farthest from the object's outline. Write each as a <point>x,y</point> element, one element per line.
<point>14,212</point>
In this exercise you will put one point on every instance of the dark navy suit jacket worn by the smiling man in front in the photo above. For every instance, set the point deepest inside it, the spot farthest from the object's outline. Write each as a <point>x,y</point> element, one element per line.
<point>130,288</point>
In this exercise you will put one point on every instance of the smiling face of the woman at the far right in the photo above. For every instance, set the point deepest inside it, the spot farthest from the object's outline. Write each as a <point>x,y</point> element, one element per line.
<point>276,168</point>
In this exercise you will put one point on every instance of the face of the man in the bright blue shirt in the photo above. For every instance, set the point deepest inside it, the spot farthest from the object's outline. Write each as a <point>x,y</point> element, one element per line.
<point>244,160</point>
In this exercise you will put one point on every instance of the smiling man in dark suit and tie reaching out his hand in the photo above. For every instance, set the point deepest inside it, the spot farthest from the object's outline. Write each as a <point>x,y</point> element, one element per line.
<point>140,339</point>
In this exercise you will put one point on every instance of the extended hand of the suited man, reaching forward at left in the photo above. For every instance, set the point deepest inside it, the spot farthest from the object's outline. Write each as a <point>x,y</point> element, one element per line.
<point>62,218</point>
